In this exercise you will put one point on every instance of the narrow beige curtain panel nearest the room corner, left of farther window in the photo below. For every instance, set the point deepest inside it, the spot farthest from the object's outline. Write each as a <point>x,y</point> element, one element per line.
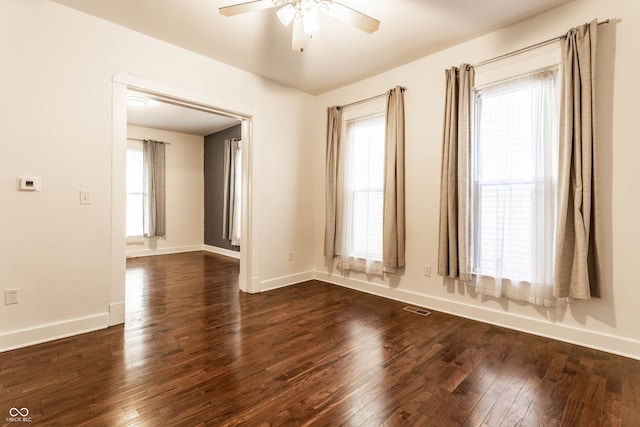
<point>334,128</point>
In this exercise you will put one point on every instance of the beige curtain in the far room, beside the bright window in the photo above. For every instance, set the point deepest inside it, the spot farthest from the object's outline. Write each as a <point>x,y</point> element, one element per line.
<point>153,153</point>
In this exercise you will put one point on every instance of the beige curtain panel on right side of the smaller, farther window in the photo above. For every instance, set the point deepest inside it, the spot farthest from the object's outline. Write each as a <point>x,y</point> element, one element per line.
<point>393,210</point>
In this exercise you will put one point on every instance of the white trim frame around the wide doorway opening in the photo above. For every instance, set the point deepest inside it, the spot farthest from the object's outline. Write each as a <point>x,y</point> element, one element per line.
<point>122,84</point>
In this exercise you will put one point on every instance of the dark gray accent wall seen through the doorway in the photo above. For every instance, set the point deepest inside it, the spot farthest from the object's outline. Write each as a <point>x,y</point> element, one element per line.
<point>214,186</point>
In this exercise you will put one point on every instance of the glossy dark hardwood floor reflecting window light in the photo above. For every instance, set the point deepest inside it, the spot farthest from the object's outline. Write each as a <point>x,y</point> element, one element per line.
<point>196,351</point>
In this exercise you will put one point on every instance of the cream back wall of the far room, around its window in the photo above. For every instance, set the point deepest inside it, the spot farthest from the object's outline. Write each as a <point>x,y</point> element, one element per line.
<point>184,191</point>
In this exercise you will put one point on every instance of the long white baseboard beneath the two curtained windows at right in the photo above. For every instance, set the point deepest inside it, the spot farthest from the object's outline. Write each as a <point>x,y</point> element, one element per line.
<point>621,346</point>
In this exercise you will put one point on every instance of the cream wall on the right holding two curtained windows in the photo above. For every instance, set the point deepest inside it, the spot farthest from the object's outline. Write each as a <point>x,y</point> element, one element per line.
<point>609,323</point>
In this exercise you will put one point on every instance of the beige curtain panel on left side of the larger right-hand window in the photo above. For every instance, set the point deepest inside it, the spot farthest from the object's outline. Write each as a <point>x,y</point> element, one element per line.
<point>454,247</point>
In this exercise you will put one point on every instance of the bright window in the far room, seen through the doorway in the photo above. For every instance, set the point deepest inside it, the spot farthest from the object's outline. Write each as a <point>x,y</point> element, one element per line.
<point>135,193</point>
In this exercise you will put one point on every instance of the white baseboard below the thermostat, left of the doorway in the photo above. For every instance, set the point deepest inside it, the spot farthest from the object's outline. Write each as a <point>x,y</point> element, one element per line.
<point>52,331</point>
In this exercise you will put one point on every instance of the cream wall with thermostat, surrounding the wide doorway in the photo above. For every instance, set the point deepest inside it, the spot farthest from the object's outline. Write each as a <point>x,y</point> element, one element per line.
<point>56,123</point>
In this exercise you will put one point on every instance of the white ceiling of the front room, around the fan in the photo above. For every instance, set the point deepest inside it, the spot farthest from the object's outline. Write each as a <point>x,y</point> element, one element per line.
<point>337,55</point>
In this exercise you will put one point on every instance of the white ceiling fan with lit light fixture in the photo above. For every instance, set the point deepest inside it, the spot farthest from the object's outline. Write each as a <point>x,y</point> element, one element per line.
<point>303,15</point>
